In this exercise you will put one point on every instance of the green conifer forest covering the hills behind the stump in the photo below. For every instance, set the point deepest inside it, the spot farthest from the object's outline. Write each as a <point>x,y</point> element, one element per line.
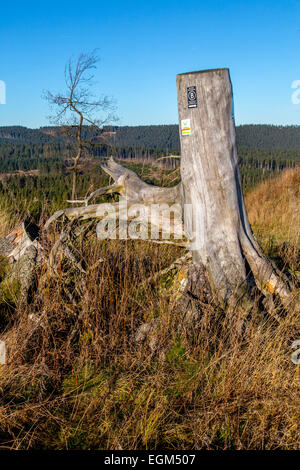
<point>35,164</point>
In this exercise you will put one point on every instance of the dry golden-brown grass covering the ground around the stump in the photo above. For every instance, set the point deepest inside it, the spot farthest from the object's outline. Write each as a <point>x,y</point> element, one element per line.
<point>77,379</point>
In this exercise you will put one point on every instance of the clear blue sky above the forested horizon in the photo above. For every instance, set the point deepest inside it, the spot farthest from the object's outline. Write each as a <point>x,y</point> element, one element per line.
<point>143,45</point>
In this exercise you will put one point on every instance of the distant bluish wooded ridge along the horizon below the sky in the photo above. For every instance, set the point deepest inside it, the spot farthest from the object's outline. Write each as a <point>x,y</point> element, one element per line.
<point>162,136</point>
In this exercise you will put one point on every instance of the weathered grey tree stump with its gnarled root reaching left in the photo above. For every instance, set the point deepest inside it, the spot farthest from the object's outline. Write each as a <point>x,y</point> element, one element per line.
<point>216,221</point>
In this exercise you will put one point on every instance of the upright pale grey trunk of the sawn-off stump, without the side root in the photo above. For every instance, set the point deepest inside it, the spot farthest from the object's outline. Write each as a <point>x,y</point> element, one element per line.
<point>218,225</point>
